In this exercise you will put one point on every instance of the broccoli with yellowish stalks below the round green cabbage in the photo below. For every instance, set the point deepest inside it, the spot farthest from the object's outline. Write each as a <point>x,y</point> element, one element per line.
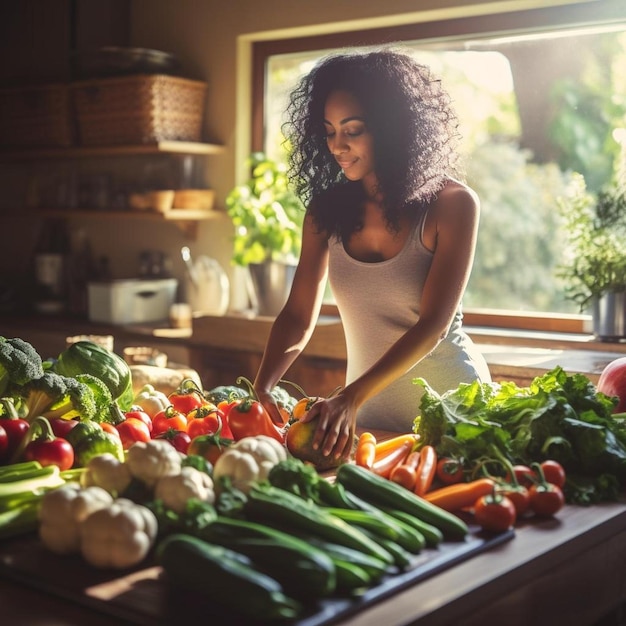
<point>53,395</point>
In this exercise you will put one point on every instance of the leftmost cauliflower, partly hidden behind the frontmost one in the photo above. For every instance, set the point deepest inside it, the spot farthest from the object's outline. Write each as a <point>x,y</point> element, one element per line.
<point>62,512</point>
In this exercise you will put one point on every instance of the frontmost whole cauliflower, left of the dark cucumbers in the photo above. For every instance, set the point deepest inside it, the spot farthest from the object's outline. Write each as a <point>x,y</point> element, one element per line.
<point>118,536</point>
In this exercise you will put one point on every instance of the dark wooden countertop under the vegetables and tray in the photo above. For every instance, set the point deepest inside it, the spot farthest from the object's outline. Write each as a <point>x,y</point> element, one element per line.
<point>570,570</point>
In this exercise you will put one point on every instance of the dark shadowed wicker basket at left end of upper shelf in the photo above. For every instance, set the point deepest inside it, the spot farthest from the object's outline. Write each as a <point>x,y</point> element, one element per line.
<point>35,116</point>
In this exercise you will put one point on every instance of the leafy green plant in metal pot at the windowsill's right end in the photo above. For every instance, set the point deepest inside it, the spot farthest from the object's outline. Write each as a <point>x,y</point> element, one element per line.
<point>596,249</point>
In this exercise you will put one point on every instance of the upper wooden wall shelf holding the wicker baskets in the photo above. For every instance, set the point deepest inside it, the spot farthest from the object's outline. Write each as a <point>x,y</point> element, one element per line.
<point>161,147</point>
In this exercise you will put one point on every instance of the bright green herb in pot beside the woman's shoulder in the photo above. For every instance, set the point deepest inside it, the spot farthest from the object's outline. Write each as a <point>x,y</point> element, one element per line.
<point>267,217</point>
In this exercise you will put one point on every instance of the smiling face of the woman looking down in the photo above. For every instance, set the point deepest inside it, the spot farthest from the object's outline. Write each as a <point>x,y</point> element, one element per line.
<point>348,138</point>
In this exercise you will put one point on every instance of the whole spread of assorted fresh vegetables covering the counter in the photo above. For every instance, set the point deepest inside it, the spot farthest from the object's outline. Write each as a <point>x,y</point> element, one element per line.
<point>205,484</point>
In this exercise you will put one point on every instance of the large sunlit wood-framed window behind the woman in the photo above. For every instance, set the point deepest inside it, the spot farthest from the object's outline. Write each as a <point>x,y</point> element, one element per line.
<point>539,95</point>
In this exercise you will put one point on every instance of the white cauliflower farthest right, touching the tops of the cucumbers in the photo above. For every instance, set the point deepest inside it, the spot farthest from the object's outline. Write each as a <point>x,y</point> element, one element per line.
<point>248,461</point>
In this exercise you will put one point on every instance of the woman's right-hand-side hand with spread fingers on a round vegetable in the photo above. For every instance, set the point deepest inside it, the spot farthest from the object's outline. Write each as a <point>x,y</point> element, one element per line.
<point>334,434</point>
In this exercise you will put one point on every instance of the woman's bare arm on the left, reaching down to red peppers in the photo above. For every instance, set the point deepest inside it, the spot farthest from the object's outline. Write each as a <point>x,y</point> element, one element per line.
<point>294,325</point>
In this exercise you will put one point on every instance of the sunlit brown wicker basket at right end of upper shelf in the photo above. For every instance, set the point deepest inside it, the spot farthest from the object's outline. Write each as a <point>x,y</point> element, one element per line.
<point>139,109</point>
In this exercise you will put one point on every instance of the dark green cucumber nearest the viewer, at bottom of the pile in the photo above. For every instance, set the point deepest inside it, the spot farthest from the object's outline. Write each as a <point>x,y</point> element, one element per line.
<point>224,577</point>
